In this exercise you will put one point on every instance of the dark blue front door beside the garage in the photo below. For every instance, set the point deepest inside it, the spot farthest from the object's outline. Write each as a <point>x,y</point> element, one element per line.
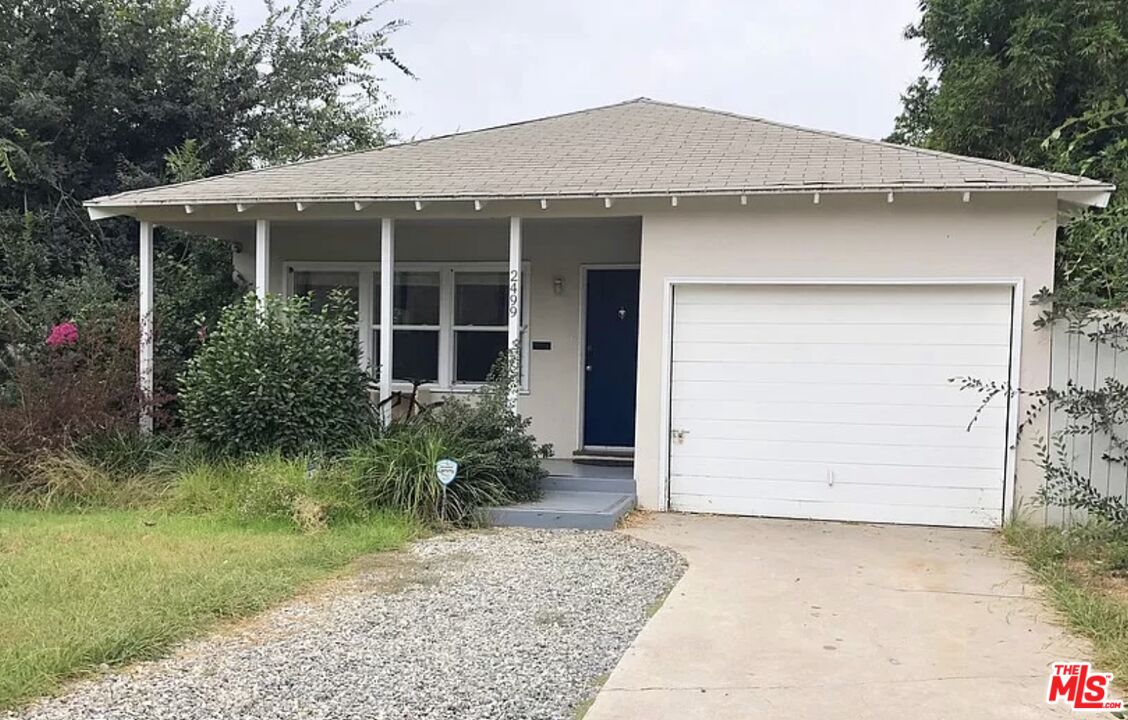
<point>611,358</point>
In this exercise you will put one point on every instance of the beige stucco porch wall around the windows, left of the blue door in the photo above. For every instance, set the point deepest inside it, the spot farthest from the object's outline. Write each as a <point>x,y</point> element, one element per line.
<point>553,249</point>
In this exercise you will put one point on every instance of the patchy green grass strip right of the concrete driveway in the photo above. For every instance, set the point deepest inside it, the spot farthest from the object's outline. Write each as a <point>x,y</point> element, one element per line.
<point>1086,575</point>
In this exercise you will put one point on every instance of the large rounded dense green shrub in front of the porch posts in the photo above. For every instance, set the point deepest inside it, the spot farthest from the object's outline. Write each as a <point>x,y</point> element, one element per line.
<point>278,376</point>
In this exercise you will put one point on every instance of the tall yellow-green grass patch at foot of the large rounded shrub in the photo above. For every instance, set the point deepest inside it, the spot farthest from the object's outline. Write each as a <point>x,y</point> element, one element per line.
<point>303,491</point>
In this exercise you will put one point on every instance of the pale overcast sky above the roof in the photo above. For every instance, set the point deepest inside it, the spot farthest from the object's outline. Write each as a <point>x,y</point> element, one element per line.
<point>833,65</point>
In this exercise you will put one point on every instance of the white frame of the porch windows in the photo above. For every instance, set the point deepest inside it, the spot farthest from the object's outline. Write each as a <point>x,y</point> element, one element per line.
<point>368,273</point>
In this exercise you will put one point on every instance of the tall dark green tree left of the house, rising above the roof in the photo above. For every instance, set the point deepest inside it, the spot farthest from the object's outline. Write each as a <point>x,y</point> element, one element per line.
<point>101,96</point>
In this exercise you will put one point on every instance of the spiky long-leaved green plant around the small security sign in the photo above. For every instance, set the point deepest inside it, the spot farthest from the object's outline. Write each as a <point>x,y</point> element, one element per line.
<point>398,472</point>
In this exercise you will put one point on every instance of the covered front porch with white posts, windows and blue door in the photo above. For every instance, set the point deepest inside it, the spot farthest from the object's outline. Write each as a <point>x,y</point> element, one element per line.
<point>456,293</point>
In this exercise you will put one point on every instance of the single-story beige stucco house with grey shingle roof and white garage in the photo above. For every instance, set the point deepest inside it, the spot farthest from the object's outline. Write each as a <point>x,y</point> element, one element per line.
<point>765,317</point>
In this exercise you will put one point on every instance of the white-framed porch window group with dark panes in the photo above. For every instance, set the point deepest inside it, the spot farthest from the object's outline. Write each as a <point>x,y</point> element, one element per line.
<point>451,322</point>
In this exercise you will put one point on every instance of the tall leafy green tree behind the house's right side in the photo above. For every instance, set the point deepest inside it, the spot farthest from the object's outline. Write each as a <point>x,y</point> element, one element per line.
<point>1041,83</point>
